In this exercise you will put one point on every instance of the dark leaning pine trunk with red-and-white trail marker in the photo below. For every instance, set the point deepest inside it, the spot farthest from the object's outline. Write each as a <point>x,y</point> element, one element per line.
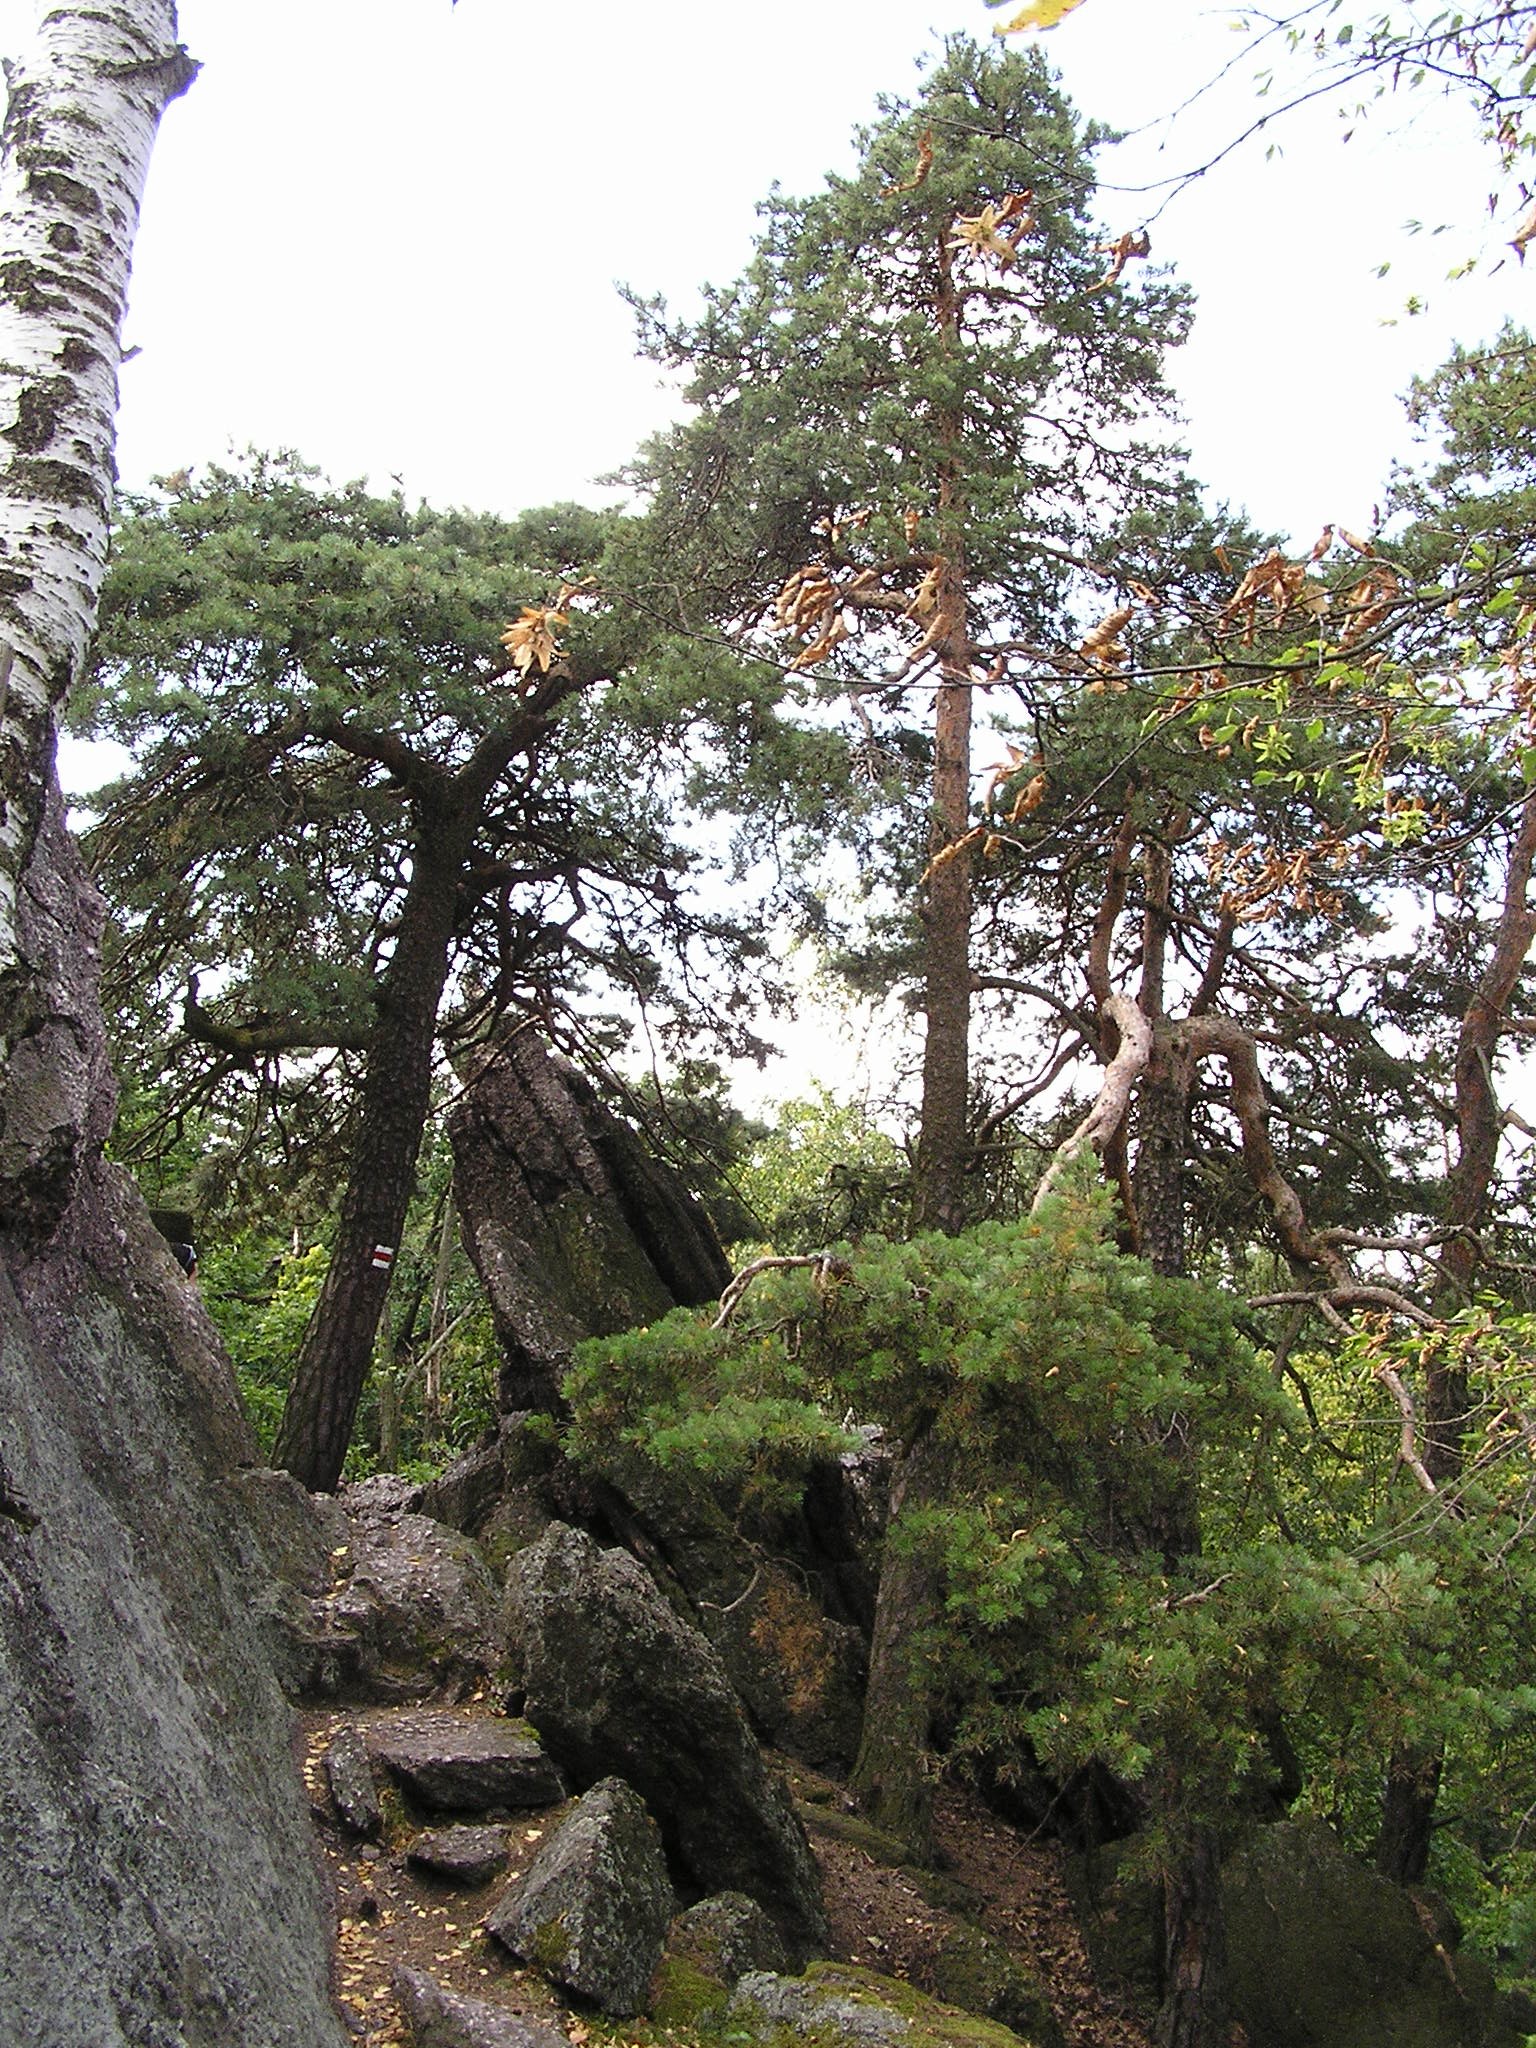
<point>396,1097</point>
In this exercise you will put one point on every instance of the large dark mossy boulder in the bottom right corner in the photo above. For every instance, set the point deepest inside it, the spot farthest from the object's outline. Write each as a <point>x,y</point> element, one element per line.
<point>1328,1955</point>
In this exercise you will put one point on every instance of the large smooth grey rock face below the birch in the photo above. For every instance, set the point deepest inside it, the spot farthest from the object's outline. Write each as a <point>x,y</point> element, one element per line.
<point>155,1840</point>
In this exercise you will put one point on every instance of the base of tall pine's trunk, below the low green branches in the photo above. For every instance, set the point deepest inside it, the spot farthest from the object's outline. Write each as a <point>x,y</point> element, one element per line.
<point>896,1770</point>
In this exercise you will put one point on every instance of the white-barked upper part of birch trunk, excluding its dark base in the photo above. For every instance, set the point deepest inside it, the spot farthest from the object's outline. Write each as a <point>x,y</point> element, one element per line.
<point>85,103</point>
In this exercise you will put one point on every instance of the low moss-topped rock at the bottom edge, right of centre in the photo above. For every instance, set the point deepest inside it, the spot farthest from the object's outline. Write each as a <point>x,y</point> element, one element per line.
<point>837,2002</point>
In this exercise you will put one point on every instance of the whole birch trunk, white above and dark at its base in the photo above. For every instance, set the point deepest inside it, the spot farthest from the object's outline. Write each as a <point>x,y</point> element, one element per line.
<point>83,112</point>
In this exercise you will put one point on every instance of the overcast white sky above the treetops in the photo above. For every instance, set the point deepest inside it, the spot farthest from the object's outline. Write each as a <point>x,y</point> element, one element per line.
<point>386,232</point>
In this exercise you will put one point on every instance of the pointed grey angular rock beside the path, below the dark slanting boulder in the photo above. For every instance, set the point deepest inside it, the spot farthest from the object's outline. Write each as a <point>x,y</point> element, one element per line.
<point>595,1906</point>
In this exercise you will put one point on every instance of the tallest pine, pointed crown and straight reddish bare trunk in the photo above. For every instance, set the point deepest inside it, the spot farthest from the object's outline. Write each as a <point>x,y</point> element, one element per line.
<point>916,411</point>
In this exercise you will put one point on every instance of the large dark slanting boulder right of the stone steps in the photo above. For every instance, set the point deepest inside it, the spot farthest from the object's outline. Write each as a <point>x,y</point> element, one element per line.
<point>617,1682</point>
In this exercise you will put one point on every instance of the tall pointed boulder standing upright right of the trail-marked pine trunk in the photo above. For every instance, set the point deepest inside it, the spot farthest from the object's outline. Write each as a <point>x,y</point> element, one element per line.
<point>572,1228</point>
